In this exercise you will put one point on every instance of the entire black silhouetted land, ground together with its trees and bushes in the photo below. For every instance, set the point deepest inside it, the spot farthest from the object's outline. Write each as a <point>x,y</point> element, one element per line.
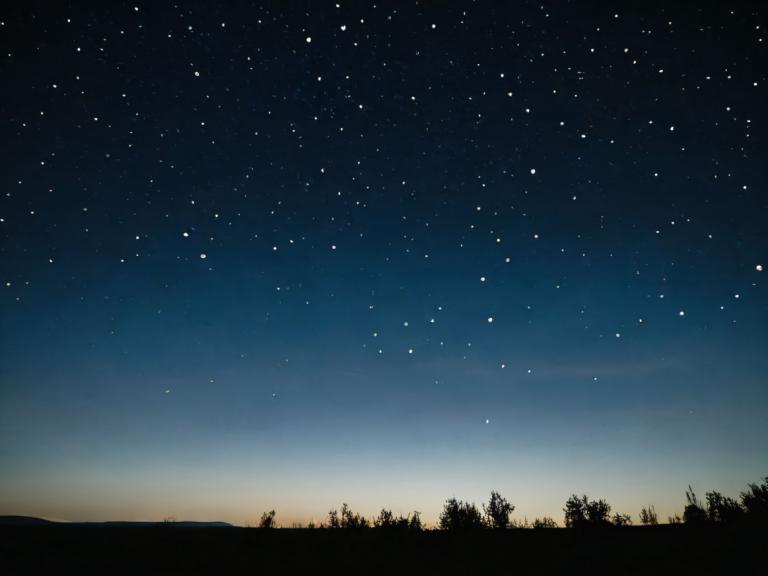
<point>720,535</point>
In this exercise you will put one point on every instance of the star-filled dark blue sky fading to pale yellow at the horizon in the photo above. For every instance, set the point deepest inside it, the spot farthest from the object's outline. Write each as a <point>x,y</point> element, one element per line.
<point>303,253</point>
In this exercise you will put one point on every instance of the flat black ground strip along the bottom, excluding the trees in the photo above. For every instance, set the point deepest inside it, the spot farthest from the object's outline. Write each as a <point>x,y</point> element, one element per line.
<point>179,550</point>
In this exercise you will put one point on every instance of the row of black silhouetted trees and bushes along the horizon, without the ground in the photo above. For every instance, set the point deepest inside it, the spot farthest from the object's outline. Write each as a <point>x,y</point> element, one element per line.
<point>579,512</point>
